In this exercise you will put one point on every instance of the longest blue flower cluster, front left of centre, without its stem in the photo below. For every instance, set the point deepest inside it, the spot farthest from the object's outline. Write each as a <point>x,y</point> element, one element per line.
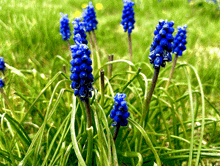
<point>81,69</point>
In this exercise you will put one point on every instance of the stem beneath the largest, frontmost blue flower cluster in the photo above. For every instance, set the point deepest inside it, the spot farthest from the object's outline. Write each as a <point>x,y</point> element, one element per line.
<point>89,131</point>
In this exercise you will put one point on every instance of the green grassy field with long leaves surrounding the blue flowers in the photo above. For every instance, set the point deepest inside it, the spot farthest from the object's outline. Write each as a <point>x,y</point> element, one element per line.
<point>182,124</point>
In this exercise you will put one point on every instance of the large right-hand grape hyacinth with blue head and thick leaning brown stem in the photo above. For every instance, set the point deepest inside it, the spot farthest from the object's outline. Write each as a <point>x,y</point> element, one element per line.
<point>160,53</point>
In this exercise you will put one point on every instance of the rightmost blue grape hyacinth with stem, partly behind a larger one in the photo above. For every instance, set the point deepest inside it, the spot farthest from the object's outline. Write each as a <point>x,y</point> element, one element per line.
<point>178,48</point>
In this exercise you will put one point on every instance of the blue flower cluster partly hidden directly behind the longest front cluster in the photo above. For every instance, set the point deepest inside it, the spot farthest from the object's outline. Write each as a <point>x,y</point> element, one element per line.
<point>79,29</point>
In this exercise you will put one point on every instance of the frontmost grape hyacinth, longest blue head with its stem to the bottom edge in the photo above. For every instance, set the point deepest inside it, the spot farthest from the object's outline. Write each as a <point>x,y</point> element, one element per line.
<point>82,84</point>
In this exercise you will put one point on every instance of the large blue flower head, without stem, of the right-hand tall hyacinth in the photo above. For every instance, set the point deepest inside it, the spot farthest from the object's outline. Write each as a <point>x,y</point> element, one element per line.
<point>161,48</point>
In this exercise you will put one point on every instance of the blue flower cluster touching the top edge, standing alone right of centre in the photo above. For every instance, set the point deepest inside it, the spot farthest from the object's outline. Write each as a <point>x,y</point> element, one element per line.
<point>128,16</point>
